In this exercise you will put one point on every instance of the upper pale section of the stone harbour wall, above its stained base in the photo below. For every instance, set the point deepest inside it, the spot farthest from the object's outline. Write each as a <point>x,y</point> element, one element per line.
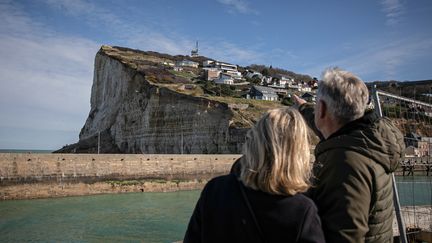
<point>27,168</point>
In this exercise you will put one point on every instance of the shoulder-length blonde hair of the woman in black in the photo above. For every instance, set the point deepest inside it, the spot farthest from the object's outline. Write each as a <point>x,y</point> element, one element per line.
<point>276,154</point>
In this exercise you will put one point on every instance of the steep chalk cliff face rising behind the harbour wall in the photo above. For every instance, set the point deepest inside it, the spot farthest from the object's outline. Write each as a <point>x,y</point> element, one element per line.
<point>134,115</point>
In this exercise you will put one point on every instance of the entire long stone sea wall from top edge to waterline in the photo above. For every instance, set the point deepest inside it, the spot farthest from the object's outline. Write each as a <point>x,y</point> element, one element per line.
<point>25,176</point>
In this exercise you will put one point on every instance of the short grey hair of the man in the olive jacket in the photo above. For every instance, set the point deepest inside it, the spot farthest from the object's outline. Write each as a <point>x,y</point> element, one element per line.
<point>345,94</point>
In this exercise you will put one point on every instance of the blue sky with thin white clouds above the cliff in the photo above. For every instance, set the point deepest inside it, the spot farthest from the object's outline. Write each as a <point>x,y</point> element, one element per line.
<point>47,48</point>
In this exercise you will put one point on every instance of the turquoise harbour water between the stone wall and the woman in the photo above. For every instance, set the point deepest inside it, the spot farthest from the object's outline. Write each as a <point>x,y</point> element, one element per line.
<point>134,217</point>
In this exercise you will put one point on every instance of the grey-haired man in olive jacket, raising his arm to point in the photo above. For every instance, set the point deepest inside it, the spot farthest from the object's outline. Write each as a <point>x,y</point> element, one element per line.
<point>354,160</point>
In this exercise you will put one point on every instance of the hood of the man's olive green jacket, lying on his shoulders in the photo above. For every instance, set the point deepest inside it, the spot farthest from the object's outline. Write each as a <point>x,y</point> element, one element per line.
<point>372,136</point>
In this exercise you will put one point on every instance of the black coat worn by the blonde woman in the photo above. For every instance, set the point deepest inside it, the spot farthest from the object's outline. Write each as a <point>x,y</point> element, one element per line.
<point>221,215</point>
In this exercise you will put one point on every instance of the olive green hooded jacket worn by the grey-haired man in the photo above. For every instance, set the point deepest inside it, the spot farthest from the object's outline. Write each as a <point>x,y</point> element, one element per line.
<point>353,184</point>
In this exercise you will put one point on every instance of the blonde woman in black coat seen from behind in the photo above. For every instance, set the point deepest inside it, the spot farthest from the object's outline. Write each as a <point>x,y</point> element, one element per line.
<point>262,201</point>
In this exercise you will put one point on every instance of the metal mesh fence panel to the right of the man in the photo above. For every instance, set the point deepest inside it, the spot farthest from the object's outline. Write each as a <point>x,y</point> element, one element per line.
<point>414,118</point>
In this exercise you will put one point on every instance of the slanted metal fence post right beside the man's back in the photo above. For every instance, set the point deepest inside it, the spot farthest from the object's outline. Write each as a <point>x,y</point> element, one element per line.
<point>401,224</point>
